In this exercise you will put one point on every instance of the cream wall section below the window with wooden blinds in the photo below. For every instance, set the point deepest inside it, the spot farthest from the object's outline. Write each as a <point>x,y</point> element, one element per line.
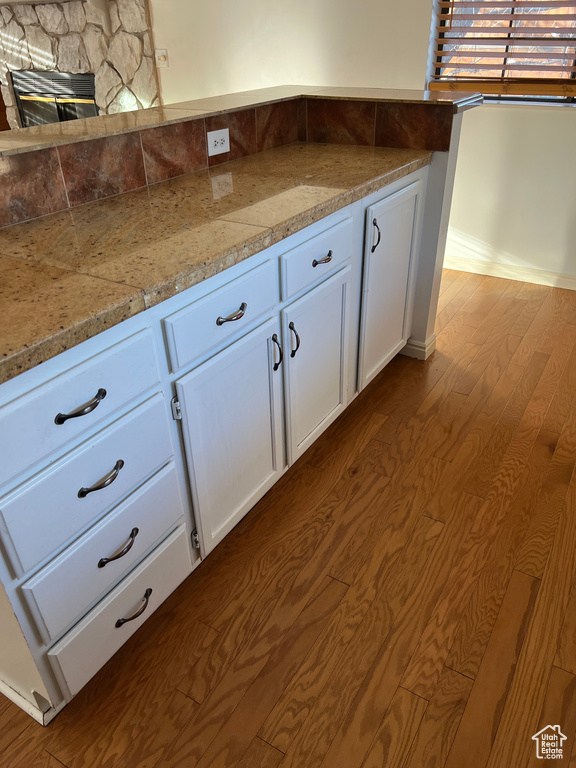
<point>514,206</point>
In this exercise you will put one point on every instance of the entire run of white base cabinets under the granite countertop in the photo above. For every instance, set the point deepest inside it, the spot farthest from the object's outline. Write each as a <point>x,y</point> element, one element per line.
<point>95,527</point>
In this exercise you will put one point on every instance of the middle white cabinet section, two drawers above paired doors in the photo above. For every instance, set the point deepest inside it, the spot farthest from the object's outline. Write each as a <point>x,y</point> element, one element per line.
<point>250,410</point>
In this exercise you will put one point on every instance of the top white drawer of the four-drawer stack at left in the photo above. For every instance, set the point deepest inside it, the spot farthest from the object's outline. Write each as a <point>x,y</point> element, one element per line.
<point>122,372</point>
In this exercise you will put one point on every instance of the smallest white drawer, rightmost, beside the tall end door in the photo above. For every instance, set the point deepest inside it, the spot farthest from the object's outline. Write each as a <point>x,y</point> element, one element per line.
<point>316,258</point>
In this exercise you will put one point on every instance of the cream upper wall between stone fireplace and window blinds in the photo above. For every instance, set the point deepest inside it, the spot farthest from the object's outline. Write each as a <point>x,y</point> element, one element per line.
<point>225,46</point>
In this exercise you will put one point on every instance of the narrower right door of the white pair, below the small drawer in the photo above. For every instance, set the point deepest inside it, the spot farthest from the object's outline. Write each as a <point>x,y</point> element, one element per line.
<point>315,361</point>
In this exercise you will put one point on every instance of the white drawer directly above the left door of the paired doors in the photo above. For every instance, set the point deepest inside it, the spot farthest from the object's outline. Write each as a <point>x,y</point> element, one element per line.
<point>199,327</point>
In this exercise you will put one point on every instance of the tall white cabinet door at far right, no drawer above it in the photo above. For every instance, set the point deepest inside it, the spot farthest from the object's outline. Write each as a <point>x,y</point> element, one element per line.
<point>390,252</point>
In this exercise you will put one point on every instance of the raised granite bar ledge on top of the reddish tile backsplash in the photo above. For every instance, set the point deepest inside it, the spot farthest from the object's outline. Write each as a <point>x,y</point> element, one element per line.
<point>55,134</point>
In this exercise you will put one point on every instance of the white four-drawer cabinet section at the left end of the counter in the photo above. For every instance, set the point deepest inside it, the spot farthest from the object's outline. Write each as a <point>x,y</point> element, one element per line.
<point>91,494</point>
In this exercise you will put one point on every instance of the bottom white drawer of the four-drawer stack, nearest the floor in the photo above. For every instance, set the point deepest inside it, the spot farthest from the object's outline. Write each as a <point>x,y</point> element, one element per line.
<point>89,645</point>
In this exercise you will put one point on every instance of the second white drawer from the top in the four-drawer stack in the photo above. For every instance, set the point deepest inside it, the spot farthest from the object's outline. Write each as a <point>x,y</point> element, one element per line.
<point>42,515</point>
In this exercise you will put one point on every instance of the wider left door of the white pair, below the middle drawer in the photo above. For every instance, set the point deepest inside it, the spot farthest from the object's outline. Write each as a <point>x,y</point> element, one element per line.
<point>232,423</point>
